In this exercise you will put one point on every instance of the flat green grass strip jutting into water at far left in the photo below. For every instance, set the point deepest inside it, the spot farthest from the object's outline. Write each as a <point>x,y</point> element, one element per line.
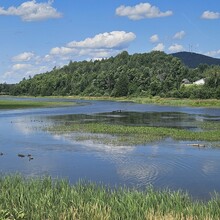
<point>21,104</point>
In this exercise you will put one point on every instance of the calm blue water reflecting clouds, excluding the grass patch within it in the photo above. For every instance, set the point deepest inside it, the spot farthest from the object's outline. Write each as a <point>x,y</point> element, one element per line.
<point>164,164</point>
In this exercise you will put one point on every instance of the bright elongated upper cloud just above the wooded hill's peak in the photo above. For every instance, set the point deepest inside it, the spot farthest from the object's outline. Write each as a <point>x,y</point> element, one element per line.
<point>114,39</point>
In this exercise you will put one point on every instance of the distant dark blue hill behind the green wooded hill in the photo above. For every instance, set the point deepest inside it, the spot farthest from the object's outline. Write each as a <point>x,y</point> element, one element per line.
<point>193,60</point>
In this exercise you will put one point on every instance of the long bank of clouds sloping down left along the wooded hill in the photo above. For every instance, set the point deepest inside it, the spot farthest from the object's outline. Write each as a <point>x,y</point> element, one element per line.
<point>100,46</point>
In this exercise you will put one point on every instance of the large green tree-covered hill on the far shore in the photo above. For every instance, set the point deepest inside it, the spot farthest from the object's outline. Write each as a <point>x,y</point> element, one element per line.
<point>147,74</point>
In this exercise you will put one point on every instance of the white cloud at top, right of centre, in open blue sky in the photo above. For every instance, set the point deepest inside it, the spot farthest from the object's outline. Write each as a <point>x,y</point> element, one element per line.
<point>141,11</point>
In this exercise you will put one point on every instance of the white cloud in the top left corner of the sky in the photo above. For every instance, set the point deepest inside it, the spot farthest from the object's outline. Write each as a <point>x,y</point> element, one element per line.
<point>32,11</point>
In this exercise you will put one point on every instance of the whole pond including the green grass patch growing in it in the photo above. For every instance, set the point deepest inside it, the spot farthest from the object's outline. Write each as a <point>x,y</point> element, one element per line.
<point>115,144</point>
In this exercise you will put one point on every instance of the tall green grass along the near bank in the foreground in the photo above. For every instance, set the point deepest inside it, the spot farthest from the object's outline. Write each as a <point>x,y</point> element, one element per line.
<point>46,199</point>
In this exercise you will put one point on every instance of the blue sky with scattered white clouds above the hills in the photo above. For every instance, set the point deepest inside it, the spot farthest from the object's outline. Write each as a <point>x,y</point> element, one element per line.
<point>38,35</point>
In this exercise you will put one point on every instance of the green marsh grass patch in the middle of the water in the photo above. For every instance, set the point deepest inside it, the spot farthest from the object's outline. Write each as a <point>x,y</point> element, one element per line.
<point>132,135</point>
